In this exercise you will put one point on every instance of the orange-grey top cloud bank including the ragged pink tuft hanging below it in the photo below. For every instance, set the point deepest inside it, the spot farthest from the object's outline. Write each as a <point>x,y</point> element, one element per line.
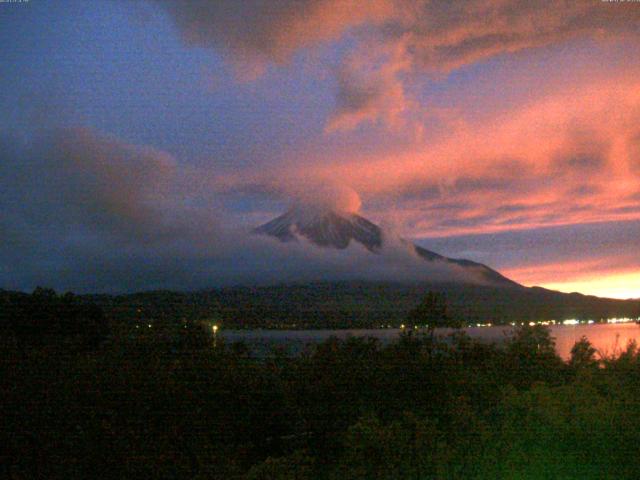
<point>414,36</point>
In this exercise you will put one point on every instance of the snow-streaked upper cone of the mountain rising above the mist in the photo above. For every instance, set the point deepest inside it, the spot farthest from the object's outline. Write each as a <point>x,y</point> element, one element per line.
<point>331,228</point>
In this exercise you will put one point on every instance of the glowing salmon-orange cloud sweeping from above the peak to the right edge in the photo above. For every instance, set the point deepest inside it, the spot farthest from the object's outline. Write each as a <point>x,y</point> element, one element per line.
<point>570,157</point>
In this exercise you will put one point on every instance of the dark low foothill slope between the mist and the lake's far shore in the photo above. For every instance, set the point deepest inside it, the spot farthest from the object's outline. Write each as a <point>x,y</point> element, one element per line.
<point>357,305</point>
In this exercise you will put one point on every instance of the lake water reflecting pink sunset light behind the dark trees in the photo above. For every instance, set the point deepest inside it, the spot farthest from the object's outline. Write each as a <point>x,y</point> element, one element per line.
<point>606,338</point>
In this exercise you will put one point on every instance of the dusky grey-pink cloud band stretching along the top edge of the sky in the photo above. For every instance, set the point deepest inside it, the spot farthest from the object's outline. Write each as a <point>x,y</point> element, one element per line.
<point>438,35</point>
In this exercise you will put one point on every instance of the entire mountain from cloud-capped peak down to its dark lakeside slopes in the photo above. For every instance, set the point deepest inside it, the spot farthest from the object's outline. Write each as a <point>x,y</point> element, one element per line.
<point>475,293</point>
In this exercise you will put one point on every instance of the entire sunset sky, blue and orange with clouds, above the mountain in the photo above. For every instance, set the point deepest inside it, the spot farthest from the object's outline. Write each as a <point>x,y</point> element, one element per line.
<point>135,135</point>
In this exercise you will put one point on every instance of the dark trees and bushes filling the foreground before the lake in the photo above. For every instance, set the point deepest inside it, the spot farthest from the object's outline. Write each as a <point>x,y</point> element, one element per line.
<point>172,401</point>
